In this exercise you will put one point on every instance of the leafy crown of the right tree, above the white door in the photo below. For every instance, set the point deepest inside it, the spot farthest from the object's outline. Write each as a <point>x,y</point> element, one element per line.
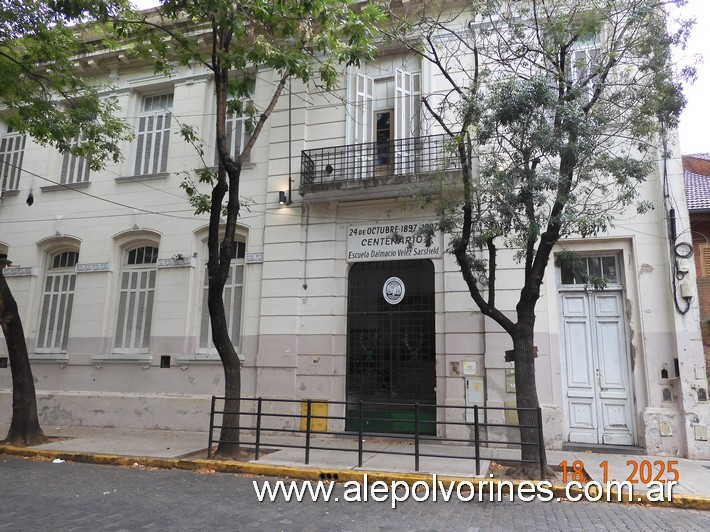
<point>563,117</point>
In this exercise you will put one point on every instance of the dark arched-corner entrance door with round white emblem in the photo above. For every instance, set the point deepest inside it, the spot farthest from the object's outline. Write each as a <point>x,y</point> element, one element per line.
<point>391,346</point>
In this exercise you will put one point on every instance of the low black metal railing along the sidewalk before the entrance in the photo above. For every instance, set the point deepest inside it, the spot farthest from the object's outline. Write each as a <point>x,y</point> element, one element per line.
<point>253,432</point>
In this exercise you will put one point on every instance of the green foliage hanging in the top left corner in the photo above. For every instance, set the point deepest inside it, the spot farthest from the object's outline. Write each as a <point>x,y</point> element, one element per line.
<point>39,84</point>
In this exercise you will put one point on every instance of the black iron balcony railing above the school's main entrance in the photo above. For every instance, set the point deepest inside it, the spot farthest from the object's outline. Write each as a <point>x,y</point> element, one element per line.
<point>356,162</point>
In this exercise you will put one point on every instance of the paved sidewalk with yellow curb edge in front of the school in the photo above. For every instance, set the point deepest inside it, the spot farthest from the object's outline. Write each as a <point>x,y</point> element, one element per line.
<point>166,448</point>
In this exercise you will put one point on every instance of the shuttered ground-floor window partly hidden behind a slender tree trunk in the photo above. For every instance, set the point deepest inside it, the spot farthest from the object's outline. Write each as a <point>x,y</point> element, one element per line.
<point>232,296</point>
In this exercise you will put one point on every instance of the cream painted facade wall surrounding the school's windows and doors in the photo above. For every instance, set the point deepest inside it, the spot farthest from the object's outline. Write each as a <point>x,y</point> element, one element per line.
<point>294,320</point>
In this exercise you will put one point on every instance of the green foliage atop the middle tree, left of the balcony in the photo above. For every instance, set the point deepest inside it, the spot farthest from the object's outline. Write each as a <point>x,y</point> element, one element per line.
<point>306,40</point>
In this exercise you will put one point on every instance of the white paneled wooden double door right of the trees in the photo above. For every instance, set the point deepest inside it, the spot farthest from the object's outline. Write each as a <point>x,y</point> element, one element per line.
<point>598,393</point>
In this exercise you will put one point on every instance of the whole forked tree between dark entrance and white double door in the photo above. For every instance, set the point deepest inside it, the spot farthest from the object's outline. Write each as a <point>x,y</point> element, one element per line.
<point>560,105</point>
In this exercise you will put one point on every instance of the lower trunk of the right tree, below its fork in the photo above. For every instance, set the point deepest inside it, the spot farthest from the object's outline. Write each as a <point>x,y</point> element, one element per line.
<point>526,398</point>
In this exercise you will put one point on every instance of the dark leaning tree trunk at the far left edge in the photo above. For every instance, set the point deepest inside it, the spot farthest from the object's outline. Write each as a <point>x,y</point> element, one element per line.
<point>24,427</point>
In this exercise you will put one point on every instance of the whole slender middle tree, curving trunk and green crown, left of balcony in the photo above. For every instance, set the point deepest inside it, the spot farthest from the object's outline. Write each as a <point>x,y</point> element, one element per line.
<point>303,40</point>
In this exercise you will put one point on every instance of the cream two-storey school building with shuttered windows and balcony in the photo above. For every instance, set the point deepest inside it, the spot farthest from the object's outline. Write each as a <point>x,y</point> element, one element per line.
<point>323,304</point>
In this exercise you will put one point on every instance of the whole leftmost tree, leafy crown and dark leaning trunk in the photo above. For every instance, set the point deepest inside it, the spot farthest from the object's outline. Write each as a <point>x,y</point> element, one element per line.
<point>46,99</point>
